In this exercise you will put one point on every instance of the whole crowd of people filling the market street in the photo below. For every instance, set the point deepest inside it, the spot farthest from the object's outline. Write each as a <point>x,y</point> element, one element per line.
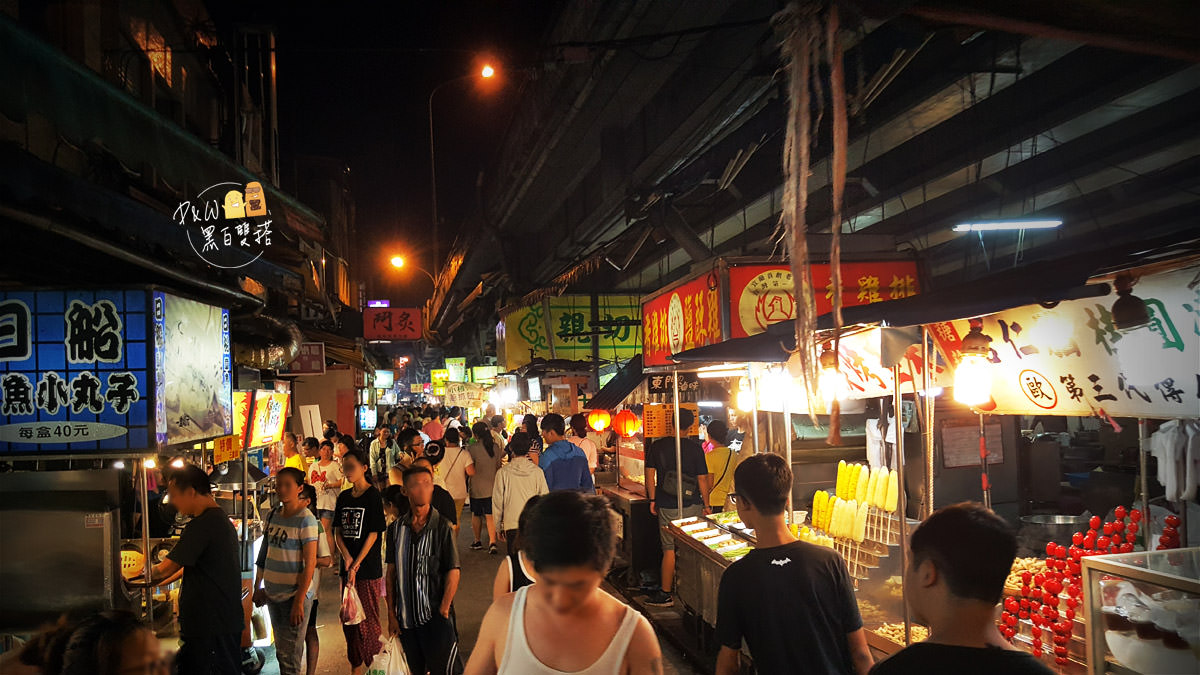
<point>387,517</point>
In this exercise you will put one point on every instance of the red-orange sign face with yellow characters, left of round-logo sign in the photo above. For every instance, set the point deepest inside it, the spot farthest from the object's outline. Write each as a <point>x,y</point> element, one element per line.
<point>682,319</point>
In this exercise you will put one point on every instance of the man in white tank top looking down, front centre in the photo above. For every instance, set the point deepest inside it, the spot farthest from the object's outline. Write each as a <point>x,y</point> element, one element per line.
<point>565,624</point>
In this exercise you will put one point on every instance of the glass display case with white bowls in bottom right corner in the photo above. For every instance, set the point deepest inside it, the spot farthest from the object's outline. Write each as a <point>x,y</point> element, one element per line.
<point>1143,612</point>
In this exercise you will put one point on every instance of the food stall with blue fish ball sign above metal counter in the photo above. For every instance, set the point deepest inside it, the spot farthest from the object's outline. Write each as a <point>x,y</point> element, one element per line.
<point>111,378</point>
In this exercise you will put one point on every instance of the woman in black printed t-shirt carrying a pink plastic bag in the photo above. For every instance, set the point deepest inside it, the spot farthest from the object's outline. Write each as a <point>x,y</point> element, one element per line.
<point>358,527</point>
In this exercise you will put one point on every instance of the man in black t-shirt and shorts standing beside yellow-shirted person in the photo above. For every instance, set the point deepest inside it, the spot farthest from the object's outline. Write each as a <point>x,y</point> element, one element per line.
<point>663,483</point>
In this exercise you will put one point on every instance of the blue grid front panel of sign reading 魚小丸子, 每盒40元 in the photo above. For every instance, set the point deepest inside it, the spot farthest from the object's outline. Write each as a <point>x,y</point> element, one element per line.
<point>75,372</point>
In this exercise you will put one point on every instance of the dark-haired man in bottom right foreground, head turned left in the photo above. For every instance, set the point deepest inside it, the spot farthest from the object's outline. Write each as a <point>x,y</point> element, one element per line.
<point>961,559</point>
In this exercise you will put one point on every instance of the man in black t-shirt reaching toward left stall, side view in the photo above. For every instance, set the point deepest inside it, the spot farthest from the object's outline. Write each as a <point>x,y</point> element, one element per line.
<point>211,614</point>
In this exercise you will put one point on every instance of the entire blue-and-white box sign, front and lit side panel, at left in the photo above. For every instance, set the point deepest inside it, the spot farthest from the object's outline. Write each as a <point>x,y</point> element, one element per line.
<point>83,372</point>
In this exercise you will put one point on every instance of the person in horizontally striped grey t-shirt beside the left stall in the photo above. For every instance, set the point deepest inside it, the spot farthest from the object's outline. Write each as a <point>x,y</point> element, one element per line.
<point>287,563</point>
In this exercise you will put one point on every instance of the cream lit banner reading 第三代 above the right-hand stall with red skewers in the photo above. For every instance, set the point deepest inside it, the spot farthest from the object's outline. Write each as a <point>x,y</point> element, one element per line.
<point>1069,360</point>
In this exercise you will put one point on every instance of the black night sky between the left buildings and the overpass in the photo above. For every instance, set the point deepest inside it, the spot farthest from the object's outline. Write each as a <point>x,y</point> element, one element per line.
<point>355,81</point>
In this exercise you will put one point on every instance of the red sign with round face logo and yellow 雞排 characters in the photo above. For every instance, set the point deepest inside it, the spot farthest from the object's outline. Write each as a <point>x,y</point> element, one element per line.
<point>761,295</point>
